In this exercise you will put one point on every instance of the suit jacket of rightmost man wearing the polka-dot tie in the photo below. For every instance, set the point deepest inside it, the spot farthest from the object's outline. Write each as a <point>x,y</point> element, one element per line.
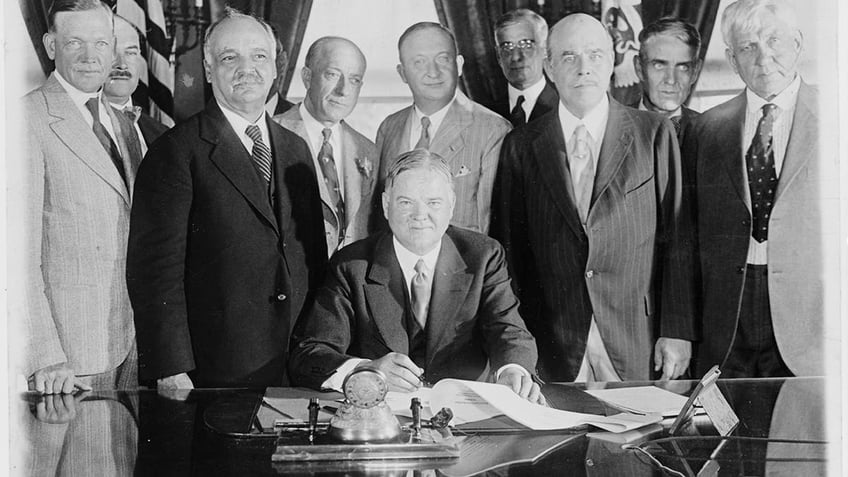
<point>719,206</point>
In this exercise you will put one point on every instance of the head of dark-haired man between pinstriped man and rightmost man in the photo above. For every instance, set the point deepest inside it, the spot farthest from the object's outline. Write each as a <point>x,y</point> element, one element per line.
<point>668,66</point>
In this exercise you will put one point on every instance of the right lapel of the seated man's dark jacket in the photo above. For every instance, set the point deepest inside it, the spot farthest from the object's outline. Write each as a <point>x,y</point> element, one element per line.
<point>450,289</point>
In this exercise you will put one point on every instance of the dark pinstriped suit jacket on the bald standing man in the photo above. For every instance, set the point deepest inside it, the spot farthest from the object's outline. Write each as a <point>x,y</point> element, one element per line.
<point>564,274</point>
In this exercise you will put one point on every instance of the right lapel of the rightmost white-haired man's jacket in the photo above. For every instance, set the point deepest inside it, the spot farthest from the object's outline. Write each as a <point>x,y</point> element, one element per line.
<point>803,134</point>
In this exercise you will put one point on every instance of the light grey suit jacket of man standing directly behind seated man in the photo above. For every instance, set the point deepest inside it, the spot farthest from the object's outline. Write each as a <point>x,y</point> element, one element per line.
<point>469,139</point>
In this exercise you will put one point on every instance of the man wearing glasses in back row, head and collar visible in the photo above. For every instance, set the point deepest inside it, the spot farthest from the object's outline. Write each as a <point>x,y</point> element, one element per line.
<point>520,36</point>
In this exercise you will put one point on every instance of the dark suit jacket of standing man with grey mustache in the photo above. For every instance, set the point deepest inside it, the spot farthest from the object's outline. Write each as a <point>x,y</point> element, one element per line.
<point>216,274</point>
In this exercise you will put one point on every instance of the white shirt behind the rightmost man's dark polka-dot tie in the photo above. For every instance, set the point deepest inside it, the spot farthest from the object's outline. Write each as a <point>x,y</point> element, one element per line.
<point>785,102</point>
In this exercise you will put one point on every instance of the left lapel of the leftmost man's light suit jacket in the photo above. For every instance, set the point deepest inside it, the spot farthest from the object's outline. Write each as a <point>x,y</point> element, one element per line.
<point>72,129</point>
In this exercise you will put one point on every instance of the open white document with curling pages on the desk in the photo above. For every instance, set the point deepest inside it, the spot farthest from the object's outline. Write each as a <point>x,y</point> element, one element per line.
<point>473,401</point>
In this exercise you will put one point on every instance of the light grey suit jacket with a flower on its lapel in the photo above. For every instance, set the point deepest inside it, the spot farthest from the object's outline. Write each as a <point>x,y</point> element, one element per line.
<point>359,167</point>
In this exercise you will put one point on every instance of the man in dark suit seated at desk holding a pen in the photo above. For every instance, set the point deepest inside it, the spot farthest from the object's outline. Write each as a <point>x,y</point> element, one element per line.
<point>422,300</point>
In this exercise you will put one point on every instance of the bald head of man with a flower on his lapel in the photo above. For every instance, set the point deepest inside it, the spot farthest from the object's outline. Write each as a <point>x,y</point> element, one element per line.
<point>333,73</point>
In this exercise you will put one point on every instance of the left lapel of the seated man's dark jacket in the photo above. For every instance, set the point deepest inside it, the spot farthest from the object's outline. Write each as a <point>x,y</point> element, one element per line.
<point>385,295</point>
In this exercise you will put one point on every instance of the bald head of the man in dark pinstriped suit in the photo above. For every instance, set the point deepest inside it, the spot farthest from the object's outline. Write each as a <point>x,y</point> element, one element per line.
<point>580,62</point>
